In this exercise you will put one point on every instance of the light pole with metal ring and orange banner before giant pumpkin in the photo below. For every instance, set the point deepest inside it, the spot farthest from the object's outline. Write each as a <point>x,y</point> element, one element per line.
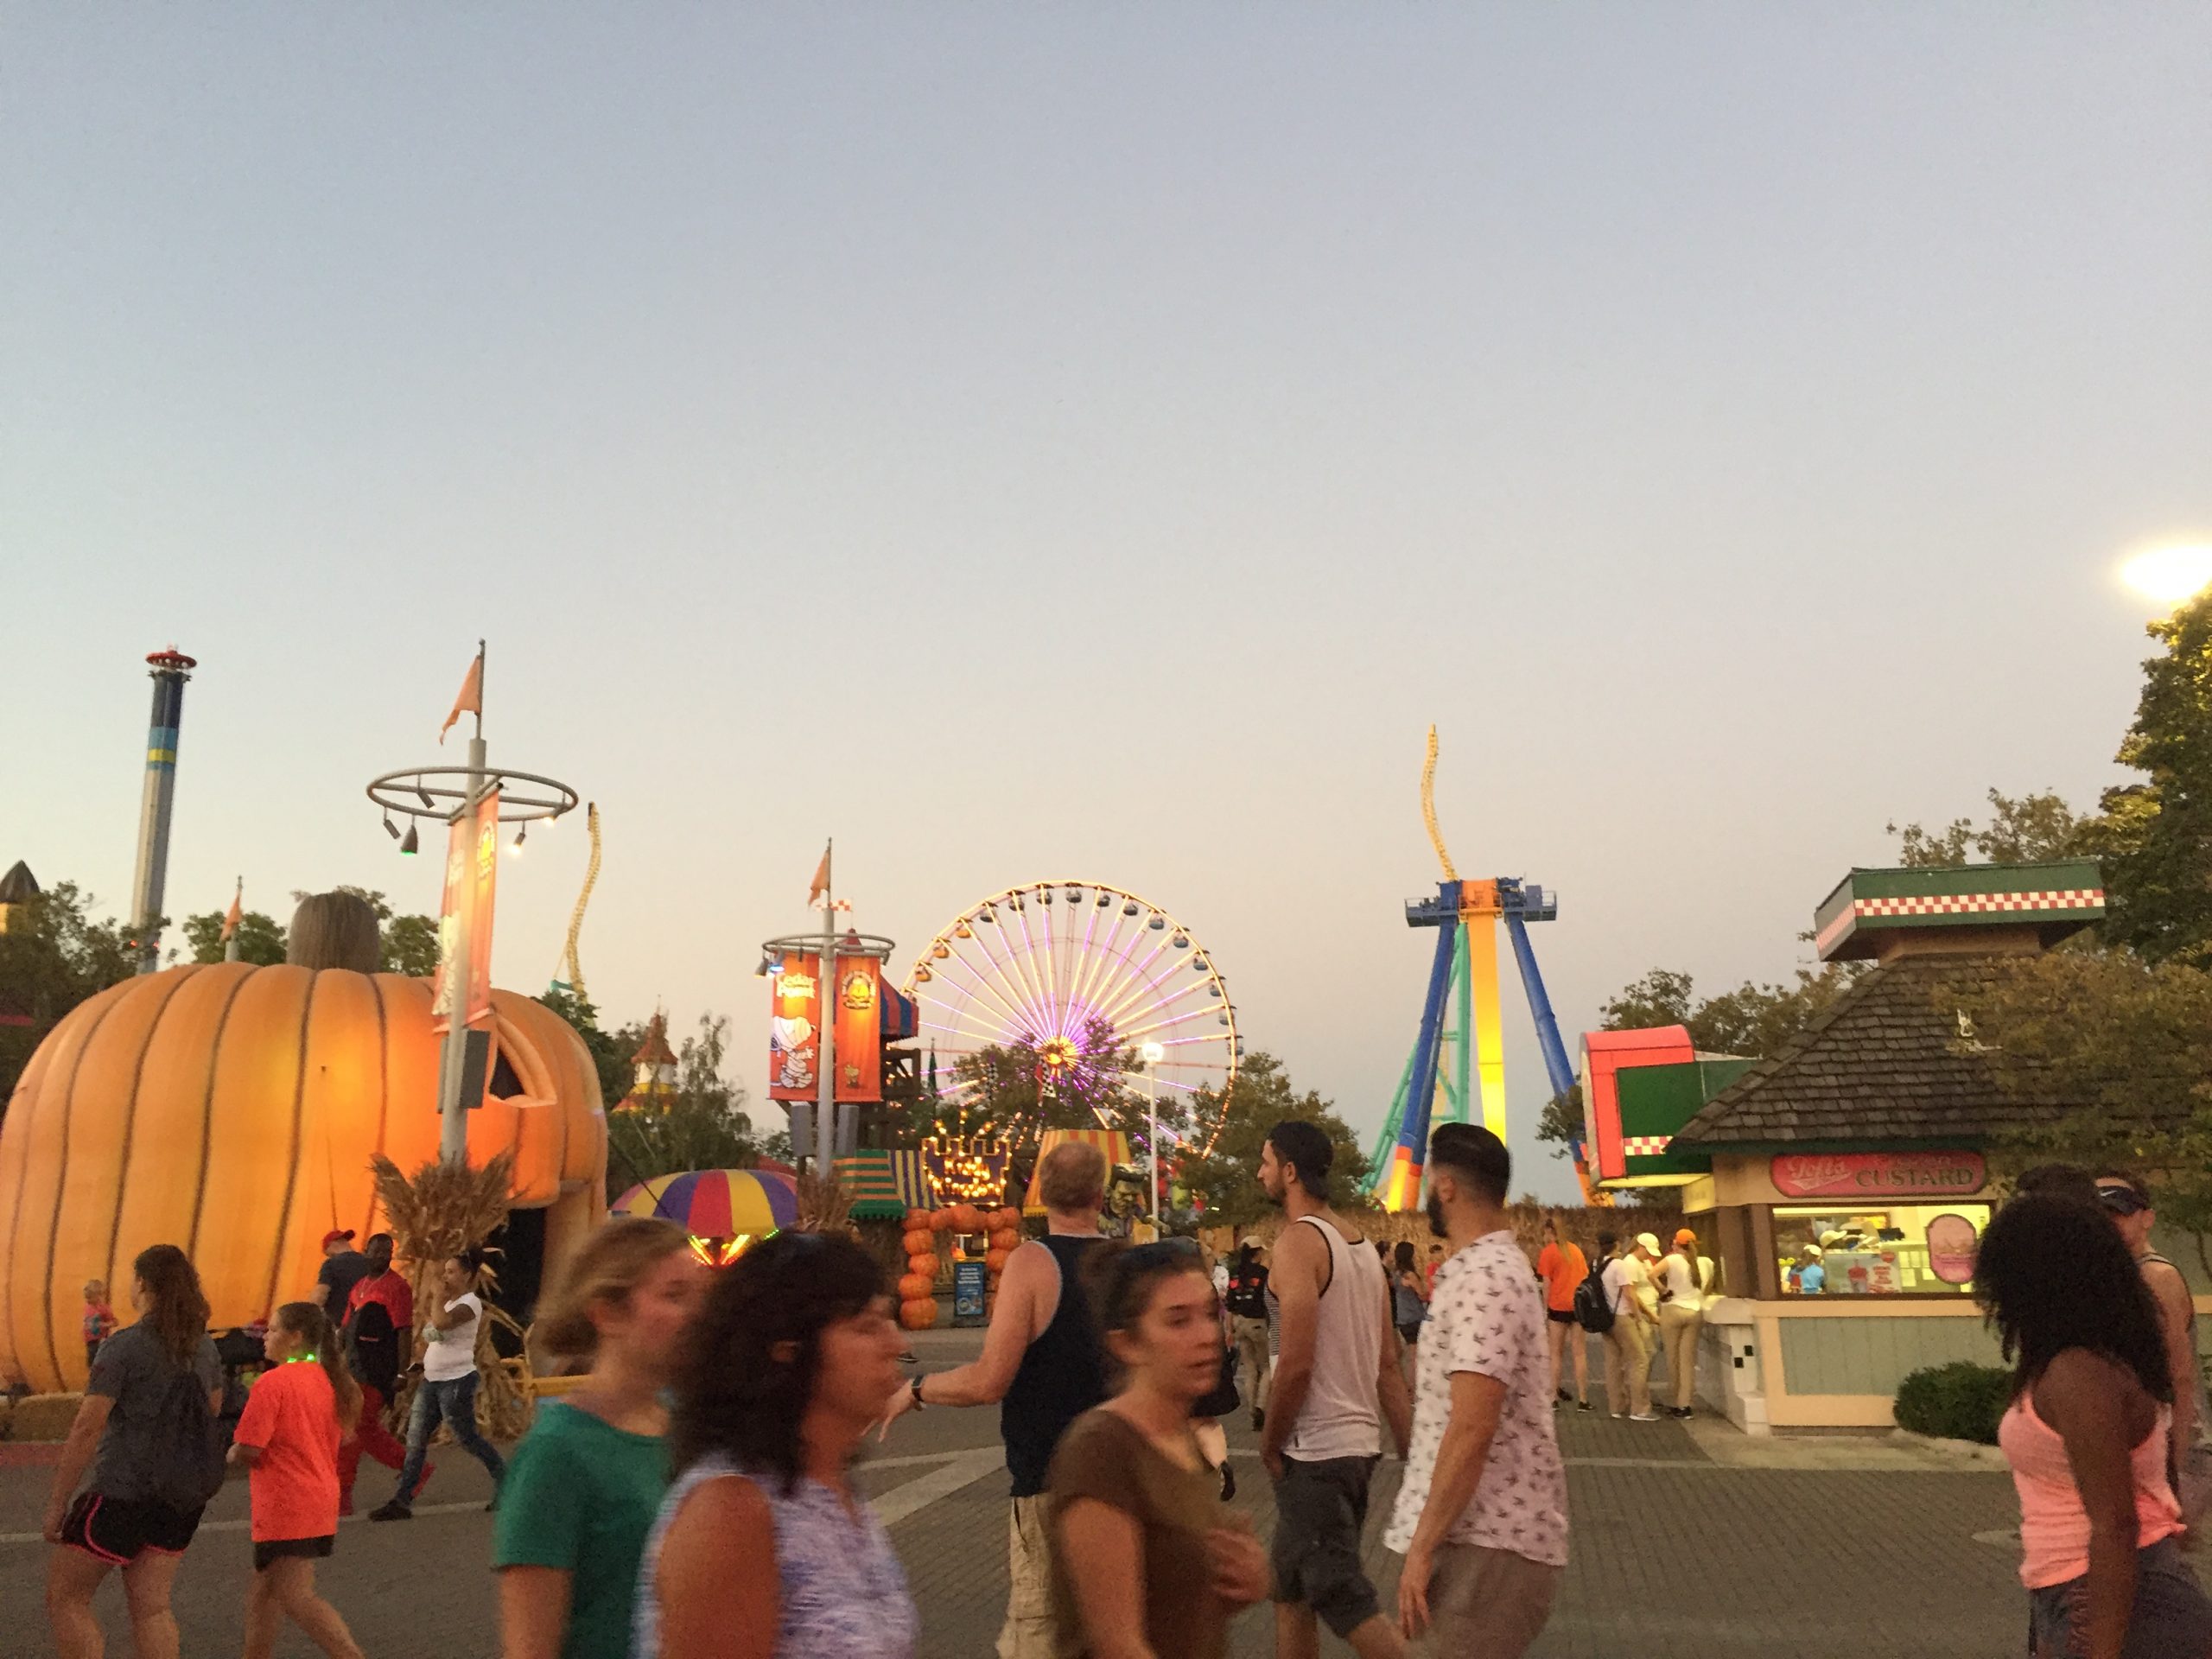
<point>452,795</point>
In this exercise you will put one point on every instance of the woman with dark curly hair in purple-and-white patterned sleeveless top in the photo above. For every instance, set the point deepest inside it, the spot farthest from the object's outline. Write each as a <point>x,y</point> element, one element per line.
<point>764,1550</point>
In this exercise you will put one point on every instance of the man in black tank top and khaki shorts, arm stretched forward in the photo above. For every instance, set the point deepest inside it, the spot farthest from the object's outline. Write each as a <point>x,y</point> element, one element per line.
<point>1045,1368</point>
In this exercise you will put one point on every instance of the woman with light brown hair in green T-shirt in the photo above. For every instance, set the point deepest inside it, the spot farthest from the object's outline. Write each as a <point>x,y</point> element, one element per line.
<point>587,1479</point>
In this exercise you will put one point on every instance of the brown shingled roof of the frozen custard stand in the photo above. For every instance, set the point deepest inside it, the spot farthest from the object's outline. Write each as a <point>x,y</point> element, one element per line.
<point>1888,1063</point>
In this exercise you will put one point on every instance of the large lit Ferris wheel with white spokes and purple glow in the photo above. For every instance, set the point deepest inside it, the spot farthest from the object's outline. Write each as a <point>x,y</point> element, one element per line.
<point>1076,970</point>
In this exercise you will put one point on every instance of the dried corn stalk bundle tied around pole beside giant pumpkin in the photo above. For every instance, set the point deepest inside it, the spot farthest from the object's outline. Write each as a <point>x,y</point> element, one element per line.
<point>446,1211</point>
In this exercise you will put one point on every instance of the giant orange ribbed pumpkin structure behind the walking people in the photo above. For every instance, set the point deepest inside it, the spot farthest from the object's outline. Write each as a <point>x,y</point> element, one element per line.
<point>233,1109</point>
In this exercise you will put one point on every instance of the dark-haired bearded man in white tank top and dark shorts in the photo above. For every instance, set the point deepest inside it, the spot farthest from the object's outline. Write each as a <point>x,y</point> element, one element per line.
<point>1335,1384</point>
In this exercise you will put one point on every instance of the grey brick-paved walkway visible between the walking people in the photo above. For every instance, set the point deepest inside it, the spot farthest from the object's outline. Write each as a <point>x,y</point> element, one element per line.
<point>1687,1541</point>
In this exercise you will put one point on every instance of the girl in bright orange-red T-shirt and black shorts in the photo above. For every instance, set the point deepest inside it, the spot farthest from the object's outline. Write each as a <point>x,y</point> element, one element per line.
<point>289,1437</point>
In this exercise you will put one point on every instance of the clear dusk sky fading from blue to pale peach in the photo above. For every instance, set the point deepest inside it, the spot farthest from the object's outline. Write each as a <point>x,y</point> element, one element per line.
<point>1098,441</point>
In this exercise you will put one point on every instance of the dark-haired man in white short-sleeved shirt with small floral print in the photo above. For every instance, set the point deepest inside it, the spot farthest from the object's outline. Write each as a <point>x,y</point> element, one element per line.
<point>1483,1507</point>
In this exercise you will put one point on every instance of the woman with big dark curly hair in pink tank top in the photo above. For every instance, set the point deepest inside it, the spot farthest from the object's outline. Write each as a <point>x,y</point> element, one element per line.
<point>2087,1439</point>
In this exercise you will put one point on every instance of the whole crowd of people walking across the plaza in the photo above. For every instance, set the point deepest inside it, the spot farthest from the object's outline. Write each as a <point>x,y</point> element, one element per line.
<point>693,1494</point>
